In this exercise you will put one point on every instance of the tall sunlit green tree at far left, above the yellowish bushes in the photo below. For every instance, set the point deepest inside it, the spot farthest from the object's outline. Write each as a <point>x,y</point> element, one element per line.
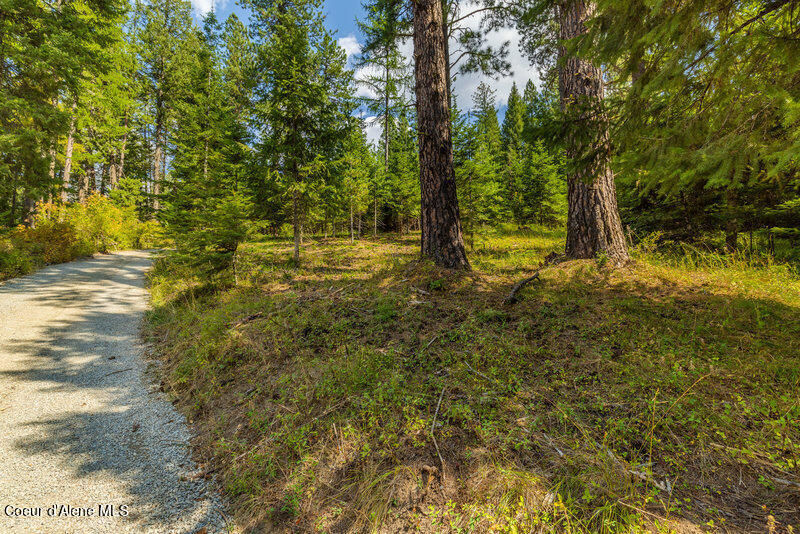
<point>46,54</point>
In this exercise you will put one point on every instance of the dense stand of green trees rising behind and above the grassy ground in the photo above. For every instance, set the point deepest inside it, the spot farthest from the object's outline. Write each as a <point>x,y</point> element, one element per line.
<point>200,124</point>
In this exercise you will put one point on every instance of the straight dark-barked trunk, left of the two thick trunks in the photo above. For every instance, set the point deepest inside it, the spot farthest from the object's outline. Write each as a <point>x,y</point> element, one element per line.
<point>442,240</point>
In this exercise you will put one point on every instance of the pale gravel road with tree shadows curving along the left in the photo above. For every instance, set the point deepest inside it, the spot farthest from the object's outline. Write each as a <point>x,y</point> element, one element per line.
<point>80,429</point>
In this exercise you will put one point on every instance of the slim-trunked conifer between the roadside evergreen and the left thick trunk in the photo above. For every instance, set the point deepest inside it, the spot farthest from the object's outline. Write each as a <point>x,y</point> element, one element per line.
<point>303,101</point>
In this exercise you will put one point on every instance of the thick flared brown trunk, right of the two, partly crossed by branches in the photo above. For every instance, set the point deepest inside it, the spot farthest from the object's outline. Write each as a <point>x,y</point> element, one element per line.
<point>593,222</point>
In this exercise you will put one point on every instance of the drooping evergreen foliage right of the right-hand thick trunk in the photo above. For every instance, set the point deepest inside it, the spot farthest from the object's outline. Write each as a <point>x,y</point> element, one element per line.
<point>713,88</point>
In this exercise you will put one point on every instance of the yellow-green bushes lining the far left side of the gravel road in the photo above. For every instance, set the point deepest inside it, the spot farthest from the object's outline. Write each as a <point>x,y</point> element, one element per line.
<point>62,233</point>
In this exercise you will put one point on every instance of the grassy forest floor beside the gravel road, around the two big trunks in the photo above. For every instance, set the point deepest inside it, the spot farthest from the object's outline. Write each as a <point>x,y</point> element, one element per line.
<point>364,390</point>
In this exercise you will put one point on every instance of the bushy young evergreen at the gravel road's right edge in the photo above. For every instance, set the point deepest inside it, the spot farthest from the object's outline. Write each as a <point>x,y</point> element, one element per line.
<point>206,212</point>
